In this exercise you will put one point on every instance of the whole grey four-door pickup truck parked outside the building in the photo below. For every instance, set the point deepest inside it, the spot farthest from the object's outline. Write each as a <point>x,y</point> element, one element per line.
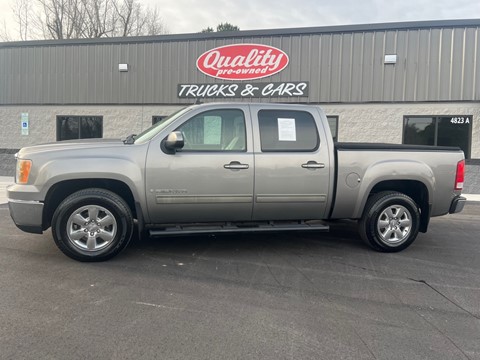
<point>231,167</point>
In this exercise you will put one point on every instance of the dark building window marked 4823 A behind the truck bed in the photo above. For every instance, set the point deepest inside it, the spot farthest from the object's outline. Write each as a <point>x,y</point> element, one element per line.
<point>454,130</point>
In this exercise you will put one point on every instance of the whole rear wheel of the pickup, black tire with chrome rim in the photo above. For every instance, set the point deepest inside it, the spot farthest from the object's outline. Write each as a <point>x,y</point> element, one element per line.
<point>390,221</point>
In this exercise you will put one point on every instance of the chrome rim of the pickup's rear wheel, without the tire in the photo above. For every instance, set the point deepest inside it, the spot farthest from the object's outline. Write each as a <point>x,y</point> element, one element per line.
<point>394,224</point>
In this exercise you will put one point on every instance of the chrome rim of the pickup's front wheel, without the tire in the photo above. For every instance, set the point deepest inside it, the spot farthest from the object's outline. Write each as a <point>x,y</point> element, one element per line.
<point>91,228</point>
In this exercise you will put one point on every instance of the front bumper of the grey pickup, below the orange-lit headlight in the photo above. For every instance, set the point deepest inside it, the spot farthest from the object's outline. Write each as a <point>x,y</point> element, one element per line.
<point>27,215</point>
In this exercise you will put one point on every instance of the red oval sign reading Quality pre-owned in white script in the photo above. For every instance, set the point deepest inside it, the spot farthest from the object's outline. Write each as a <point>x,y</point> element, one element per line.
<point>242,61</point>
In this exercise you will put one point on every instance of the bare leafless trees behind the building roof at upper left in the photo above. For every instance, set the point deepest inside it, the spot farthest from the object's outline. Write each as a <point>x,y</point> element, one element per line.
<point>70,19</point>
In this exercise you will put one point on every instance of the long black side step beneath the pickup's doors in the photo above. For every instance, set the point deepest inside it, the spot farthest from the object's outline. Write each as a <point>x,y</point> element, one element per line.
<point>188,229</point>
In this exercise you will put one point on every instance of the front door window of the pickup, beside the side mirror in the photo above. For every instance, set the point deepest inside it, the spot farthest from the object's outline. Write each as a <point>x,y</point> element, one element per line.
<point>215,130</point>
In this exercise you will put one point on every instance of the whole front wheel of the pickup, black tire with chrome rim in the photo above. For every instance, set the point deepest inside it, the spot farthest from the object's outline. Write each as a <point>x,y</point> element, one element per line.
<point>92,225</point>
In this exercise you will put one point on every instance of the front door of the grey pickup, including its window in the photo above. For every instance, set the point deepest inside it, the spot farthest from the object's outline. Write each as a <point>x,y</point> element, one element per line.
<point>211,178</point>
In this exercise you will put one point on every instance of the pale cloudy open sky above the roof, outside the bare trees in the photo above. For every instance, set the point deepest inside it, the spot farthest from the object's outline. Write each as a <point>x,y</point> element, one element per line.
<point>187,16</point>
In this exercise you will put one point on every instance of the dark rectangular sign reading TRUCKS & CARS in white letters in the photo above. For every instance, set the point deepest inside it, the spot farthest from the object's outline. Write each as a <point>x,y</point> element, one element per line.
<point>243,90</point>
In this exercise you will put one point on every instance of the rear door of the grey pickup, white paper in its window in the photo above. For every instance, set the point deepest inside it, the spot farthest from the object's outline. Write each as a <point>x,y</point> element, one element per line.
<point>292,164</point>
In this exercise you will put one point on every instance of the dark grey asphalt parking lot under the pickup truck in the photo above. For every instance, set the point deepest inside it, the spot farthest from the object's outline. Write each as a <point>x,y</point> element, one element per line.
<point>269,296</point>
